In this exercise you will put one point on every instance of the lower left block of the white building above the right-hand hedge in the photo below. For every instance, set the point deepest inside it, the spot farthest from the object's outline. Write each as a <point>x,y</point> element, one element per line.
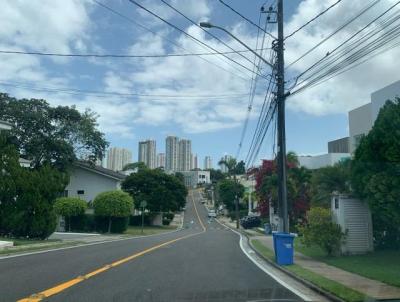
<point>360,123</point>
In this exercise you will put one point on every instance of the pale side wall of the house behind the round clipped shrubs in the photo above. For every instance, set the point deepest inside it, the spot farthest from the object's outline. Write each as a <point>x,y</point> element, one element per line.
<point>90,182</point>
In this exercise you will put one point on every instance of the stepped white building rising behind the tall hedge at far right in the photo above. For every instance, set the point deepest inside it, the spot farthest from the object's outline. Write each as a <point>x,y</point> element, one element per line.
<point>362,119</point>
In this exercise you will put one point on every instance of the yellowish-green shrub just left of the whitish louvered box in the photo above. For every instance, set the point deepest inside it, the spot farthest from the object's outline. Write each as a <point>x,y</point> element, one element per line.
<point>320,230</point>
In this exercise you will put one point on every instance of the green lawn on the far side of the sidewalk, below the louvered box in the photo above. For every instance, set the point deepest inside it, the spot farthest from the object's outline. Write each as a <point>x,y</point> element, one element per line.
<point>379,265</point>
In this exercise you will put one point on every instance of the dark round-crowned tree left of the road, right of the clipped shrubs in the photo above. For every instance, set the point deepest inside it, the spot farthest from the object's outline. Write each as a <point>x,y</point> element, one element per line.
<point>162,192</point>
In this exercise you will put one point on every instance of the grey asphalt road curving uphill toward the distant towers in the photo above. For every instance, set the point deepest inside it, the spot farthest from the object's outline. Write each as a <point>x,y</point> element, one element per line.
<point>202,262</point>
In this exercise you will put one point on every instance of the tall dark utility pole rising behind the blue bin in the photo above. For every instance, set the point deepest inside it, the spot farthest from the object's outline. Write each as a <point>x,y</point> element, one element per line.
<point>280,77</point>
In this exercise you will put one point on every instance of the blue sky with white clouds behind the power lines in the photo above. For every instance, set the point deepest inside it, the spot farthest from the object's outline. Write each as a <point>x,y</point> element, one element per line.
<point>214,125</point>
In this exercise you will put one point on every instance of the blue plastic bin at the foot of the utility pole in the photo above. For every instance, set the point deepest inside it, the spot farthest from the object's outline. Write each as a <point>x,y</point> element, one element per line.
<point>283,246</point>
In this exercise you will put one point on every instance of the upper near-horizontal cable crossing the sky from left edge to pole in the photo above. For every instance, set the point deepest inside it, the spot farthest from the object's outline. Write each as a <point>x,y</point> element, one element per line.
<point>120,55</point>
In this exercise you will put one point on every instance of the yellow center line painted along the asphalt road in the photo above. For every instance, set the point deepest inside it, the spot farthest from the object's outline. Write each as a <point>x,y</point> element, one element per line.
<point>65,285</point>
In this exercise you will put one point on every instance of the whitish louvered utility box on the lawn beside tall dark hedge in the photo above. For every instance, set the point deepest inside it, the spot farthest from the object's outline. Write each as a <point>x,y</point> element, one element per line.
<point>354,217</point>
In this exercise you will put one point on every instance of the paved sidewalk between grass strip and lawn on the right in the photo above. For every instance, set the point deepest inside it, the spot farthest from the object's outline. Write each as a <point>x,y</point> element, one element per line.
<point>371,288</point>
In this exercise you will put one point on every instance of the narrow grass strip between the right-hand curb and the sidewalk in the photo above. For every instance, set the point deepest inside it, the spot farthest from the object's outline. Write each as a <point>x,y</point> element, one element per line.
<point>331,286</point>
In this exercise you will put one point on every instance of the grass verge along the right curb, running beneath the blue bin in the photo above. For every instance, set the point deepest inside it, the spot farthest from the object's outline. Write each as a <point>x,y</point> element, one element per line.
<point>331,289</point>
